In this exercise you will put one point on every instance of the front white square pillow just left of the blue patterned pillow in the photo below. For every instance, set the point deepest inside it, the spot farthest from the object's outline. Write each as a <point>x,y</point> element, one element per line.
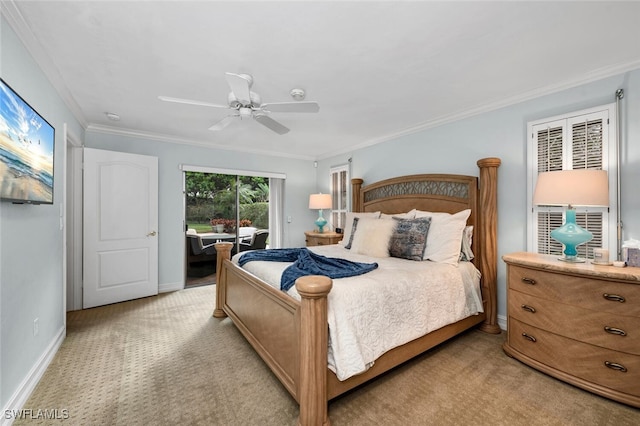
<point>372,236</point>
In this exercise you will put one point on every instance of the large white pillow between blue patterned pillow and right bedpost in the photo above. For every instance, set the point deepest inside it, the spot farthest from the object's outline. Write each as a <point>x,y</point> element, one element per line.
<point>445,235</point>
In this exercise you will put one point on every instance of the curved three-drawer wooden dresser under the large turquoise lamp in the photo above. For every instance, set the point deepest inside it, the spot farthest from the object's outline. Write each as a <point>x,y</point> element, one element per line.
<point>577,322</point>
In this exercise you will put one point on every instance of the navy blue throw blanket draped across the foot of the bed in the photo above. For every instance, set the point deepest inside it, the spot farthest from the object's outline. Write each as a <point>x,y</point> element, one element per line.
<point>306,262</point>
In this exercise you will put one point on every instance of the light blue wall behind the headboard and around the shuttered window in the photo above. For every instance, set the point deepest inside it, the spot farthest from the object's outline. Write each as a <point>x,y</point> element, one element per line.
<point>455,148</point>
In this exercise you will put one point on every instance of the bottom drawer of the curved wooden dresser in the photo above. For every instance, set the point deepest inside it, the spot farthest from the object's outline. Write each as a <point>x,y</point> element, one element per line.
<point>591,363</point>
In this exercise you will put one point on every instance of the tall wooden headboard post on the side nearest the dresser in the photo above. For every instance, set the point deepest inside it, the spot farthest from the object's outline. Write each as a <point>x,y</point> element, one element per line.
<point>488,217</point>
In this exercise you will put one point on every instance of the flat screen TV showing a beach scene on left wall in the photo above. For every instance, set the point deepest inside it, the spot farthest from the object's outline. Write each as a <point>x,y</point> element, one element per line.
<point>26,151</point>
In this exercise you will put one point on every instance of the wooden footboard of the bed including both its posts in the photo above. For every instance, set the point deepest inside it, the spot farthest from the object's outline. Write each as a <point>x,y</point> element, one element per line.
<point>290,336</point>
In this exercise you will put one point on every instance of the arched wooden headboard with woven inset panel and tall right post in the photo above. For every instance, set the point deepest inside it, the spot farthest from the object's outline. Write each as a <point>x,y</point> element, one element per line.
<point>447,193</point>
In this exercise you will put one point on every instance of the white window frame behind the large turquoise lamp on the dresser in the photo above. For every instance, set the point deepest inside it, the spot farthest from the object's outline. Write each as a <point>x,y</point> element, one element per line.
<point>608,114</point>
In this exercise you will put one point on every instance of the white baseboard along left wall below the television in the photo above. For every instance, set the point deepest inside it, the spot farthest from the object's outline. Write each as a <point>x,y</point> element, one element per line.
<point>22,394</point>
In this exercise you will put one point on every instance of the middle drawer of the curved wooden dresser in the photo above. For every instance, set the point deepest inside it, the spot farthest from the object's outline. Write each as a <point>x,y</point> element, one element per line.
<point>617,332</point>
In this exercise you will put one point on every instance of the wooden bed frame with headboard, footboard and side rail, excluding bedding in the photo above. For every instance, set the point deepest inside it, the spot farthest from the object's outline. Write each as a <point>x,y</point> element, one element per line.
<point>291,335</point>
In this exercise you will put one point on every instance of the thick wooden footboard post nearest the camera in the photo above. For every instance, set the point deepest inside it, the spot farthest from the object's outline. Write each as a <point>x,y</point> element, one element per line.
<point>314,335</point>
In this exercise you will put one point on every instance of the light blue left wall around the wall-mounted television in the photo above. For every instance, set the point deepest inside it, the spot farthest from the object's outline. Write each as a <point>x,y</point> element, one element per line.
<point>31,241</point>
